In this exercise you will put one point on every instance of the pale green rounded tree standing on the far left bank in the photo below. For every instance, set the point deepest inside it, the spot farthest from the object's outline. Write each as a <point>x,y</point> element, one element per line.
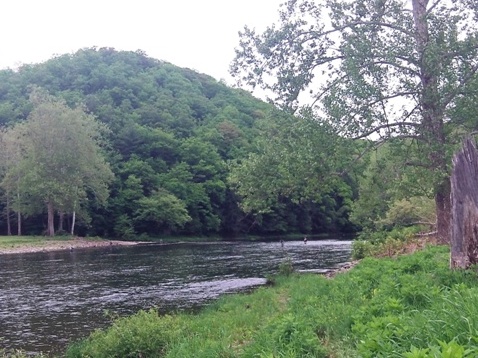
<point>61,158</point>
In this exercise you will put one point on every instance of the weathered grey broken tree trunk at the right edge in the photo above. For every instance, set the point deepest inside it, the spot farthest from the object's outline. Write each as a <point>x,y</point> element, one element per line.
<point>464,207</point>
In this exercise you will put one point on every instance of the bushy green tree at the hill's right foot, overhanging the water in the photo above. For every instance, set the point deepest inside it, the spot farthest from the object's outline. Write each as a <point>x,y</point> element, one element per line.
<point>301,159</point>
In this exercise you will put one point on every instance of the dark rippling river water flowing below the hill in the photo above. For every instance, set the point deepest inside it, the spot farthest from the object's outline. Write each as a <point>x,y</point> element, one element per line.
<point>50,299</point>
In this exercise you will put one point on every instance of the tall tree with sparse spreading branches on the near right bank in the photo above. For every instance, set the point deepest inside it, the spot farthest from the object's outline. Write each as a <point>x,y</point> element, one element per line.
<point>375,69</point>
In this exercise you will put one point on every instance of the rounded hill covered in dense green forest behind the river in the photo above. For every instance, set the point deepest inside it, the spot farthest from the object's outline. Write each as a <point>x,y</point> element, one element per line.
<point>172,136</point>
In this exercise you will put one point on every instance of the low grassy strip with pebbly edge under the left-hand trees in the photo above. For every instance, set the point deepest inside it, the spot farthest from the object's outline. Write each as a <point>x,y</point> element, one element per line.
<point>49,245</point>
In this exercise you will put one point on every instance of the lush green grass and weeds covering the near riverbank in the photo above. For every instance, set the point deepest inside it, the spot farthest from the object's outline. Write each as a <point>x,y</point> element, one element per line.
<point>411,306</point>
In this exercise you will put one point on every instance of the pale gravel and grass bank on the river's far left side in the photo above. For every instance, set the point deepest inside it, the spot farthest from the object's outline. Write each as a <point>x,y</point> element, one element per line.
<point>27,244</point>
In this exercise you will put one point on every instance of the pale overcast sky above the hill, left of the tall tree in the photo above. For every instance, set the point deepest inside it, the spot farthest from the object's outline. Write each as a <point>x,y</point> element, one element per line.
<point>199,34</point>
